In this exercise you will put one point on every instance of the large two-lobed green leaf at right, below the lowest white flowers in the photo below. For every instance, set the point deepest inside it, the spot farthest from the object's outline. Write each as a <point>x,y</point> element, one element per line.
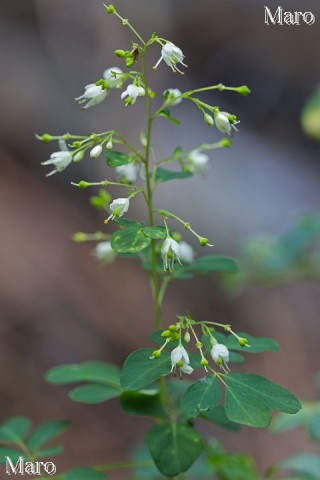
<point>249,399</point>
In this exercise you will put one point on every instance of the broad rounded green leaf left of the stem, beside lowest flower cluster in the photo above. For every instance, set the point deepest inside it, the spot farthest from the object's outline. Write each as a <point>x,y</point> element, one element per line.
<point>139,370</point>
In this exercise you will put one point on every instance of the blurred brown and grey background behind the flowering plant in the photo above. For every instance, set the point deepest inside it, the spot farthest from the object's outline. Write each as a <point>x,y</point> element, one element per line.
<point>57,304</point>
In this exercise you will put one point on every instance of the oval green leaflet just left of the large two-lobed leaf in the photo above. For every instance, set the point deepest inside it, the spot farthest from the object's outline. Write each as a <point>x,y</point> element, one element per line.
<point>201,396</point>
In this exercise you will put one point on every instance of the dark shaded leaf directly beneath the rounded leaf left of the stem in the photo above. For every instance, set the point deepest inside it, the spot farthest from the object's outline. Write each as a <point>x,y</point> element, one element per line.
<point>145,404</point>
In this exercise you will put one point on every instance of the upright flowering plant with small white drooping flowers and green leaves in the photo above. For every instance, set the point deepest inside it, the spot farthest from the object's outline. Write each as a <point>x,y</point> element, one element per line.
<point>185,345</point>
